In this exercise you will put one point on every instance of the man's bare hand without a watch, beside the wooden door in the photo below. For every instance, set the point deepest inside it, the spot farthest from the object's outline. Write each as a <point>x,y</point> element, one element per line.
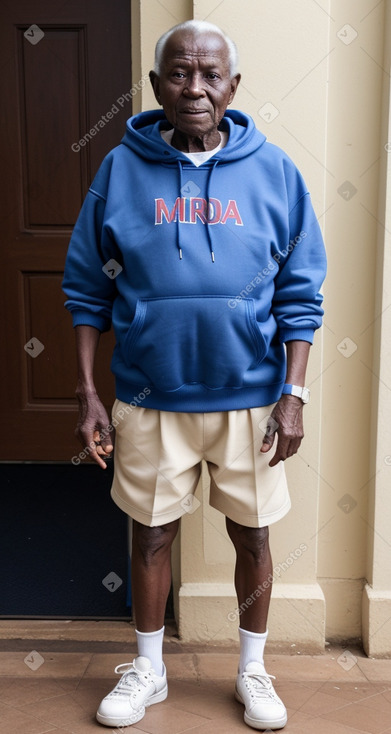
<point>93,426</point>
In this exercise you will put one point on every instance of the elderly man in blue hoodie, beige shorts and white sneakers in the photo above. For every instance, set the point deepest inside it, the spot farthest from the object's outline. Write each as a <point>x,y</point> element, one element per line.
<point>198,241</point>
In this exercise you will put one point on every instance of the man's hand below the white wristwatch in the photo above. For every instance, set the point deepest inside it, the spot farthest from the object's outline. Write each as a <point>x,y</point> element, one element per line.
<point>286,420</point>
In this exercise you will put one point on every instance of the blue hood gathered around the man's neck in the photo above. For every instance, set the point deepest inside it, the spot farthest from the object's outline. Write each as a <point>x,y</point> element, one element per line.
<point>144,138</point>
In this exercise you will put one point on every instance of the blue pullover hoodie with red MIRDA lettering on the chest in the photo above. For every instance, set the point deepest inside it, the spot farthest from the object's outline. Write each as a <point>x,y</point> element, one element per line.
<point>205,272</point>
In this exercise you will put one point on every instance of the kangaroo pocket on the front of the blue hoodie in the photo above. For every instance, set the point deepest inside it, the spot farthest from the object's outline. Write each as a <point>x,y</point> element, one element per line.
<point>176,341</point>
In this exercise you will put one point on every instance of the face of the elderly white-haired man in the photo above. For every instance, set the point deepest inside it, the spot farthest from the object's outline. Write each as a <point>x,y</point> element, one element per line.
<point>195,86</point>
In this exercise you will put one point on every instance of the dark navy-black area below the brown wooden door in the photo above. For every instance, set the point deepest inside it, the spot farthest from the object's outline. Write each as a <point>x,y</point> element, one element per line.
<point>63,544</point>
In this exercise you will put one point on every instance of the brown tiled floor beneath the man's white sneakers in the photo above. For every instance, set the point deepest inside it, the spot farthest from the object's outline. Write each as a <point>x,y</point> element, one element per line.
<point>44,689</point>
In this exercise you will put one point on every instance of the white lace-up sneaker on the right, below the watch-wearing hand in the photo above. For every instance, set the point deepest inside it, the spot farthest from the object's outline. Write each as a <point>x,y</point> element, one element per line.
<point>263,708</point>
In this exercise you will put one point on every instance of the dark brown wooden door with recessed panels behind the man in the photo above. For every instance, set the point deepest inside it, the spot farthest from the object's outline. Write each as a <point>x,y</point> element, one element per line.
<point>65,90</point>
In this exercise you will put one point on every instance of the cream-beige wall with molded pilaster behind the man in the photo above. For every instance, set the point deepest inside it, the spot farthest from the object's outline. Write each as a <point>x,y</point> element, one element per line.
<point>315,78</point>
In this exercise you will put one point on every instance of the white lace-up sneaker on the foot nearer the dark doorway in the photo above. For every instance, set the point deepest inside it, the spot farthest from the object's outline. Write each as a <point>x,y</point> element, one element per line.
<point>138,687</point>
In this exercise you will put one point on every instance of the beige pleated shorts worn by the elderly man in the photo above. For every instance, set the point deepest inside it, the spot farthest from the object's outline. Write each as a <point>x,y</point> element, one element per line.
<point>157,465</point>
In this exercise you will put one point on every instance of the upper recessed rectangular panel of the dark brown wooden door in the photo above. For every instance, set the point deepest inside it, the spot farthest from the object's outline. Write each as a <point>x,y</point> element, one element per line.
<point>50,124</point>
